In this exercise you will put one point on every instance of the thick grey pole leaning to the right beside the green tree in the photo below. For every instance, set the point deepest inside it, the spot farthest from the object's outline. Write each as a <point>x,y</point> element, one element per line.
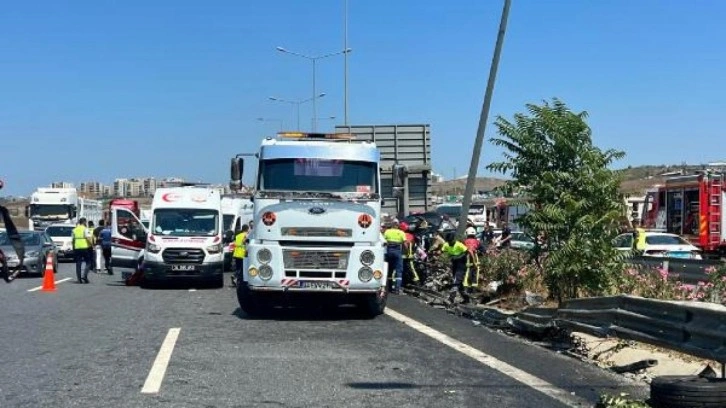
<point>483,122</point>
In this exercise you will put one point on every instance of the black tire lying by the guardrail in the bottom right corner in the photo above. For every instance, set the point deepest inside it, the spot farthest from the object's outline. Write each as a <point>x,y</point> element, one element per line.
<point>674,391</point>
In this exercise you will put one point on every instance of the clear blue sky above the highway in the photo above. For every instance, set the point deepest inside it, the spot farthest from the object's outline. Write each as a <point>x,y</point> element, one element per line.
<point>172,88</point>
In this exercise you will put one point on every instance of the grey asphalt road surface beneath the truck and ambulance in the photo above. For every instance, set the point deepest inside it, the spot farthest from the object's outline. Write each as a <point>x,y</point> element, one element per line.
<point>94,345</point>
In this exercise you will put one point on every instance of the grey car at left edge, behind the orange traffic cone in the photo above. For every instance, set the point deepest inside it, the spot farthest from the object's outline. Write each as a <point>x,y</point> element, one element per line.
<point>38,246</point>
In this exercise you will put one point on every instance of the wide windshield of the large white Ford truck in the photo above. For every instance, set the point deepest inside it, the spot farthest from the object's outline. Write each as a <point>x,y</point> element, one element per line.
<point>318,175</point>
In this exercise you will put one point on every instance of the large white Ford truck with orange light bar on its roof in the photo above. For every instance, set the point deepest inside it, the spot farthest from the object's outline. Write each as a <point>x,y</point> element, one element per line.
<point>316,216</point>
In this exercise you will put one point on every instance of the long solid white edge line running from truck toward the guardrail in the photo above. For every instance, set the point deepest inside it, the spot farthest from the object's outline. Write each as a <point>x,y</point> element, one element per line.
<point>515,373</point>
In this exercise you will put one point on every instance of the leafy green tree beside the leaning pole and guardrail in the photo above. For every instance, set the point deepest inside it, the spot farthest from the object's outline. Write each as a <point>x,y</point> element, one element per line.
<point>575,206</point>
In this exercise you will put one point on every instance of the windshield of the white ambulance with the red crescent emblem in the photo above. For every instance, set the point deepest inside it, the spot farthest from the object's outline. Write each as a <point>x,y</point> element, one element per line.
<point>183,222</point>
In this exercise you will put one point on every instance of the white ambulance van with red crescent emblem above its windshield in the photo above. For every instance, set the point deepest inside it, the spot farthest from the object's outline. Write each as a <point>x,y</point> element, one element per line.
<point>185,237</point>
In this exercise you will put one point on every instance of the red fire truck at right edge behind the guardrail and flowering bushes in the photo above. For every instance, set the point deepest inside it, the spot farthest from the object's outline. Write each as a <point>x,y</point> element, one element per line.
<point>691,206</point>
